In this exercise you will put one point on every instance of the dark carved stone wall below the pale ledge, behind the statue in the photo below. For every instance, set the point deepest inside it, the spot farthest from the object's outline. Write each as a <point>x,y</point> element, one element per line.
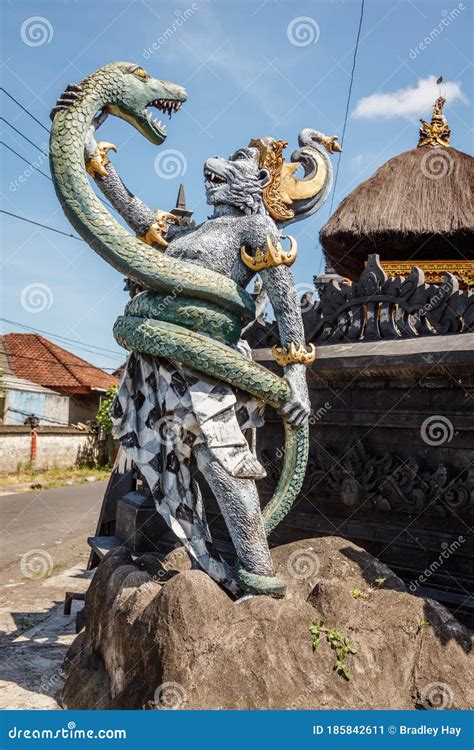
<point>391,462</point>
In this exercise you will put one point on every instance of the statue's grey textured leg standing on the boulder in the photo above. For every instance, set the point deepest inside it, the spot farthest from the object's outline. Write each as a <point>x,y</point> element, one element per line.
<point>239,504</point>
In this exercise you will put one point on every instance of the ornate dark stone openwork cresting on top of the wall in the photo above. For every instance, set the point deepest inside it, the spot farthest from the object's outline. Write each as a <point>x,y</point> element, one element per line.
<point>377,307</point>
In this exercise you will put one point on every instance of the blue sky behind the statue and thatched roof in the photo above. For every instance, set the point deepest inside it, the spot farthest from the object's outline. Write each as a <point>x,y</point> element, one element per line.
<point>251,68</point>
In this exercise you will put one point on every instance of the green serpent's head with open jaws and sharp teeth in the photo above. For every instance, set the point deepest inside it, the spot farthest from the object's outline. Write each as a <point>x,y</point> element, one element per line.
<point>128,91</point>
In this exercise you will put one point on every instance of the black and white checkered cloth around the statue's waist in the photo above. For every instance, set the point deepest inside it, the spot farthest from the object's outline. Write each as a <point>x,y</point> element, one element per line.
<point>161,412</point>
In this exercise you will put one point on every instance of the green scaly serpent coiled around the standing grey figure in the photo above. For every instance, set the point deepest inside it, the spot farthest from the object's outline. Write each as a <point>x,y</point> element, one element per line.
<point>189,314</point>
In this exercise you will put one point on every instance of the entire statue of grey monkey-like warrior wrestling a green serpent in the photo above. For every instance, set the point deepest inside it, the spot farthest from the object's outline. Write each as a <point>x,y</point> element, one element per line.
<point>190,386</point>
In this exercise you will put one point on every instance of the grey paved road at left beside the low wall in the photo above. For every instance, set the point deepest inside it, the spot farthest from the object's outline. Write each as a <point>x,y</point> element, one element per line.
<point>41,519</point>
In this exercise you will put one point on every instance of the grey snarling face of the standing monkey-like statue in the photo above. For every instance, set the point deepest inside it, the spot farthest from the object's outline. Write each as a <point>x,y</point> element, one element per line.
<point>237,181</point>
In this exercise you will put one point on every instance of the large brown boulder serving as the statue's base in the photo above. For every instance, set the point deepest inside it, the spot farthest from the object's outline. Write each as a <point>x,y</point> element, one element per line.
<point>179,641</point>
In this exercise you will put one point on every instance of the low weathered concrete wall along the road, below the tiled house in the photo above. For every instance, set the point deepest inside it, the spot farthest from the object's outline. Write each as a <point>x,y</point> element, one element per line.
<point>55,447</point>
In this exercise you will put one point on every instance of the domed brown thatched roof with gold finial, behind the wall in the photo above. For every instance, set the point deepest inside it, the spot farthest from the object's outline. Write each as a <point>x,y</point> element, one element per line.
<point>417,206</point>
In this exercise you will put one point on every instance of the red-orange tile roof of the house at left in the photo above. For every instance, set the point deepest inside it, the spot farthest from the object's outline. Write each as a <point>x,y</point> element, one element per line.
<point>35,358</point>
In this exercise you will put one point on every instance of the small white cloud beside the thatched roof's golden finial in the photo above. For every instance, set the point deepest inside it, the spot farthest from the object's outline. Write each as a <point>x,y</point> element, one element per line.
<point>408,102</point>
